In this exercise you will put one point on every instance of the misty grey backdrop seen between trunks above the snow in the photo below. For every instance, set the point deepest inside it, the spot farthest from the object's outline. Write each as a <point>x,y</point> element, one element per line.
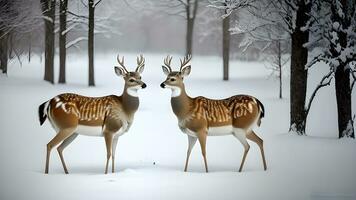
<point>131,26</point>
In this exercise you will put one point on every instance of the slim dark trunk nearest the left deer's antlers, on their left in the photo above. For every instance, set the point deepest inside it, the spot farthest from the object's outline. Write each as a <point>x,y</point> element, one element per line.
<point>91,42</point>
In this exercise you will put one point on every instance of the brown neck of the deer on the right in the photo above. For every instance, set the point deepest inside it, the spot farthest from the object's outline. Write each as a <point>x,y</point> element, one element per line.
<point>181,103</point>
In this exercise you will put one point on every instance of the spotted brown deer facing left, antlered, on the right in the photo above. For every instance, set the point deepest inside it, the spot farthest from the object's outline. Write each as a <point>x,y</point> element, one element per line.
<point>200,117</point>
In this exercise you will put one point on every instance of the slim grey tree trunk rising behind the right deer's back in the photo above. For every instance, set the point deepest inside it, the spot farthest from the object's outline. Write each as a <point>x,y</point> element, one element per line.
<point>226,47</point>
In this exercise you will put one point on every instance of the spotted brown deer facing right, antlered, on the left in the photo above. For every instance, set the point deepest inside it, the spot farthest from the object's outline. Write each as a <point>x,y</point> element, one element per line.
<point>109,116</point>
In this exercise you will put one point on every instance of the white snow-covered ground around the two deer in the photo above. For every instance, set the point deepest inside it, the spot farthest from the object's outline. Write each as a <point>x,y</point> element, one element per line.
<point>315,167</point>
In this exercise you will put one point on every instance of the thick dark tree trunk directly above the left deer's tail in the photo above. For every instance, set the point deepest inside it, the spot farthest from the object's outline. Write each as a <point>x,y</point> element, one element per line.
<point>48,9</point>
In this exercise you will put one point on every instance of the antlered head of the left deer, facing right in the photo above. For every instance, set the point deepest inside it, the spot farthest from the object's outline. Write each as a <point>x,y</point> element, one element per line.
<point>132,79</point>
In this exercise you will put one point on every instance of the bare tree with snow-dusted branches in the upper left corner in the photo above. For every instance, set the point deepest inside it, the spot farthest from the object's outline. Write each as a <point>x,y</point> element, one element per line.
<point>18,21</point>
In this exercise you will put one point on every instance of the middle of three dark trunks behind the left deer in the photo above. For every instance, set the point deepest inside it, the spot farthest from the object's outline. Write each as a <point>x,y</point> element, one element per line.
<point>62,40</point>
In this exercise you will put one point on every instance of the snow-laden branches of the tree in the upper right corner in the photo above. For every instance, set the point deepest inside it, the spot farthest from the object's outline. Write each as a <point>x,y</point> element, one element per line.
<point>335,33</point>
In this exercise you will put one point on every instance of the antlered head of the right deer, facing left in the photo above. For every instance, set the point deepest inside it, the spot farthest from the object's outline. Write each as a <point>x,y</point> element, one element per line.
<point>174,79</point>
